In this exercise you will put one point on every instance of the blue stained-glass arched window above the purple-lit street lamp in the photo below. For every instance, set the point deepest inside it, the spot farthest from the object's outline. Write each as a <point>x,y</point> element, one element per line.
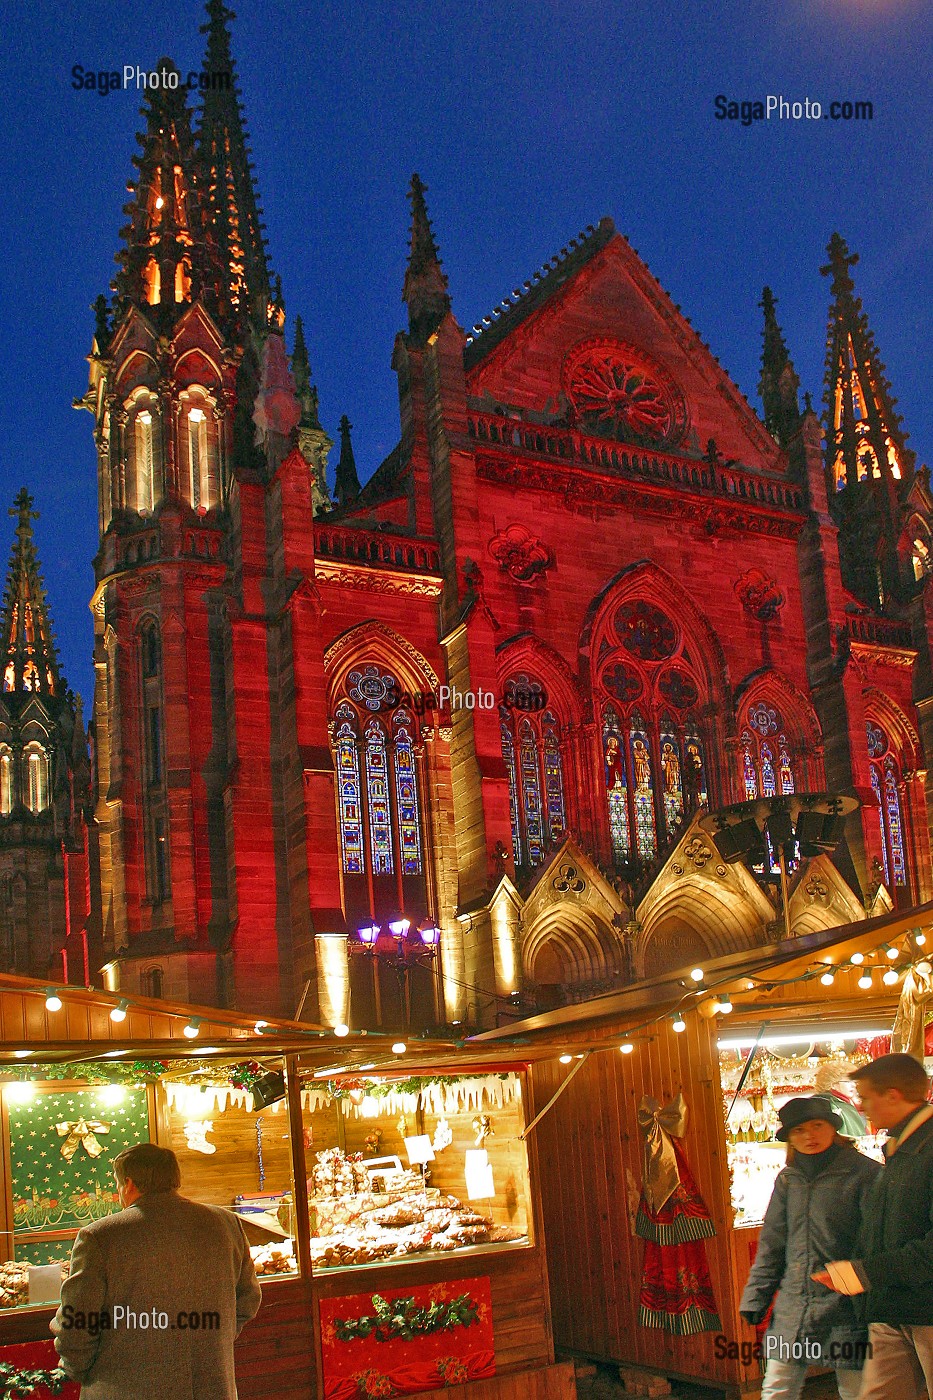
<point>379,796</point>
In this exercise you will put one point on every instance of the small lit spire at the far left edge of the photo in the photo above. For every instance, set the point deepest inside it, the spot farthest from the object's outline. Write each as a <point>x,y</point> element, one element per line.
<point>29,656</point>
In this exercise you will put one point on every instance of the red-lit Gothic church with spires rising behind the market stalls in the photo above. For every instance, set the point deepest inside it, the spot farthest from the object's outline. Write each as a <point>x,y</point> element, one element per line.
<point>435,750</point>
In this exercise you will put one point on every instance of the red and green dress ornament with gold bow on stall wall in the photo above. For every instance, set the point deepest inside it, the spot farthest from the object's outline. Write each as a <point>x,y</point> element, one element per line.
<point>673,1220</point>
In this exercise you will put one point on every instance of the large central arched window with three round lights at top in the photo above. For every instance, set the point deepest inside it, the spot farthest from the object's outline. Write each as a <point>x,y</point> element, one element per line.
<point>655,757</point>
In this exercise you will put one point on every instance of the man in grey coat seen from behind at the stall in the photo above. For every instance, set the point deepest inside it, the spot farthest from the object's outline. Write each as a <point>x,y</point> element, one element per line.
<point>158,1293</point>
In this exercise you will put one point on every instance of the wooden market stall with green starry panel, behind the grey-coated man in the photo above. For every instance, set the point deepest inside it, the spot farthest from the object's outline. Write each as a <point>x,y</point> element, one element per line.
<point>316,1142</point>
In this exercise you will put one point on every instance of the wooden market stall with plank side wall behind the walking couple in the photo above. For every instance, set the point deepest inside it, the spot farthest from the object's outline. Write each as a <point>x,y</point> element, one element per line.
<point>669,1072</point>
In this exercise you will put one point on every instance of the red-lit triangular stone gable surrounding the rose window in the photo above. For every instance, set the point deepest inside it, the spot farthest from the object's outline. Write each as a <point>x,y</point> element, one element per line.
<point>603,292</point>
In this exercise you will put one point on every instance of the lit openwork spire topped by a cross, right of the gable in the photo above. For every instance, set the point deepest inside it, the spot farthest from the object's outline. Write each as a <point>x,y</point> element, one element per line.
<point>865,442</point>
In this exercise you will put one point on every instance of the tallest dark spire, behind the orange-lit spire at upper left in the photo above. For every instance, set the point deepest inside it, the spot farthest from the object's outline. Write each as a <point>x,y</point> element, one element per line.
<point>223,146</point>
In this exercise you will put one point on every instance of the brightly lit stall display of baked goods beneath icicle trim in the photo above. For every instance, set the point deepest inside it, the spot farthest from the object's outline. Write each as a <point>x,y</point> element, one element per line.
<point>400,1171</point>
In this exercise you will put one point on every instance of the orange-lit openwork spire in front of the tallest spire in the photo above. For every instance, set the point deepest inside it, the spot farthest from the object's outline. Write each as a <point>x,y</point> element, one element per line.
<point>170,255</point>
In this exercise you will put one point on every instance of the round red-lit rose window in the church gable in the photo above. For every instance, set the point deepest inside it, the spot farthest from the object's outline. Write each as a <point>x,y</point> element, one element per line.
<point>617,391</point>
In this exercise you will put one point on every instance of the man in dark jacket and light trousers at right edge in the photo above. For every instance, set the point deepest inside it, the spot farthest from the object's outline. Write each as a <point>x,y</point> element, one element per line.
<point>894,1266</point>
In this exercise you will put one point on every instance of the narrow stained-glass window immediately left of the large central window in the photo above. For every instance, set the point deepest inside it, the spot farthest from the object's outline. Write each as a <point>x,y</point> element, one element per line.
<point>532,748</point>
